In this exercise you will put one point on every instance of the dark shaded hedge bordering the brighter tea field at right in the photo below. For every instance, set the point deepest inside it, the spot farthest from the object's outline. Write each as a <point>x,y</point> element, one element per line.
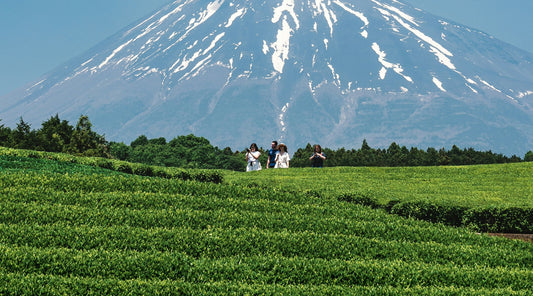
<point>488,219</point>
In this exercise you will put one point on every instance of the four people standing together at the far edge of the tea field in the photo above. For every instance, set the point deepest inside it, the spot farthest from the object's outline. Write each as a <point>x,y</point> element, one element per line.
<point>278,157</point>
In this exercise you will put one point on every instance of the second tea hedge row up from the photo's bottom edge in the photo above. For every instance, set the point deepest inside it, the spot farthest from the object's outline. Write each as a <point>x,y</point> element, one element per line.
<point>270,269</point>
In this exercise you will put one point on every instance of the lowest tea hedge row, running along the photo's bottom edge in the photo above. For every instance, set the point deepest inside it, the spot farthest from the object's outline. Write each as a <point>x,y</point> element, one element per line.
<point>37,284</point>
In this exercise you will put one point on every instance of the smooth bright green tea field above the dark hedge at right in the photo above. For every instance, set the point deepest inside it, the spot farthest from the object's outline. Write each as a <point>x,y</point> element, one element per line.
<point>471,186</point>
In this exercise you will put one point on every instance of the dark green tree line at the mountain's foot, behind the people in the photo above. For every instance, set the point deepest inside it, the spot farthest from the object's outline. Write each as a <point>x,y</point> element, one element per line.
<point>189,151</point>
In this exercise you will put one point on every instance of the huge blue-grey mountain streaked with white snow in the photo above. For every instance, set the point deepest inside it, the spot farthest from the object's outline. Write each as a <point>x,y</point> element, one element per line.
<point>332,72</point>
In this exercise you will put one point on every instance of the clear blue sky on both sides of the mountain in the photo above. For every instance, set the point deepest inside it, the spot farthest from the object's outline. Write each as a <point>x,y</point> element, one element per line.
<point>37,36</point>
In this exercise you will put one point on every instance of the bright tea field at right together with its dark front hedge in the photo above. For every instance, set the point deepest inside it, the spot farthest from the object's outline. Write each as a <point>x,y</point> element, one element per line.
<point>495,198</point>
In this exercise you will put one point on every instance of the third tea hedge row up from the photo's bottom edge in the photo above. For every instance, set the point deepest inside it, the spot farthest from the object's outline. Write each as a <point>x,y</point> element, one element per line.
<point>227,242</point>
